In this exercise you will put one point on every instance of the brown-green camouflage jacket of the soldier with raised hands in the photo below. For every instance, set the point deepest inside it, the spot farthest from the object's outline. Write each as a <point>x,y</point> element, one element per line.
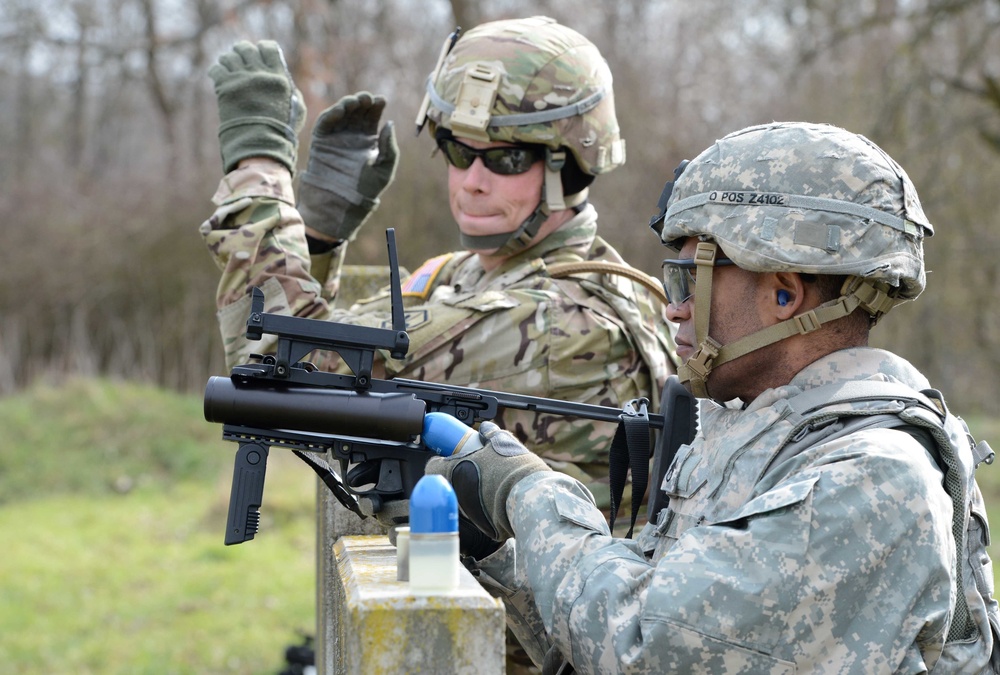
<point>592,338</point>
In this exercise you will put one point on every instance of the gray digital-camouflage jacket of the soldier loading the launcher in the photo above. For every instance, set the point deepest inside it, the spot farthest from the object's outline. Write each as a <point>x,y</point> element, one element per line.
<point>839,557</point>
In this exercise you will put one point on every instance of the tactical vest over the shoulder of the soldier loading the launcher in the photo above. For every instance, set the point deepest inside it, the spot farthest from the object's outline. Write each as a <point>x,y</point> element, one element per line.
<point>826,413</point>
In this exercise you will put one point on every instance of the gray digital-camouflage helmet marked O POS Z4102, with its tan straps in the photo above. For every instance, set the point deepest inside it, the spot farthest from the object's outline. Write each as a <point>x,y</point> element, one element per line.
<point>797,197</point>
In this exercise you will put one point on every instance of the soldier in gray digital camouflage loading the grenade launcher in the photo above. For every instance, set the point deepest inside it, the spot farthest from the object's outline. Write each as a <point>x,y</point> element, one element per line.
<point>830,524</point>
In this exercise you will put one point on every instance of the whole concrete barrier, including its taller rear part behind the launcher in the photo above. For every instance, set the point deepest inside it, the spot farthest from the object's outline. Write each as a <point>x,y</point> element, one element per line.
<point>366,621</point>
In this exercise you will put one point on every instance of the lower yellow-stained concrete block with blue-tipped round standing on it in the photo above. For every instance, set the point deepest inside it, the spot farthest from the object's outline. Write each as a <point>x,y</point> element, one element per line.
<point>382,628</point>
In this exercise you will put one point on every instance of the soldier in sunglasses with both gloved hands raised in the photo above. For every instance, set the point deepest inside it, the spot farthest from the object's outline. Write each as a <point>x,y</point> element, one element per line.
<point>506,314</point>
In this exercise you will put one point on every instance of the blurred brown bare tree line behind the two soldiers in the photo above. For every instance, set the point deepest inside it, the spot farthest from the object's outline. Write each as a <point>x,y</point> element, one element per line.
<point>110,158</point>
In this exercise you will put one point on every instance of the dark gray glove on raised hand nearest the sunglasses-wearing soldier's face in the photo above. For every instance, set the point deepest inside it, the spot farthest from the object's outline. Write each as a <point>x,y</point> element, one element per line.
<point>349,166</point>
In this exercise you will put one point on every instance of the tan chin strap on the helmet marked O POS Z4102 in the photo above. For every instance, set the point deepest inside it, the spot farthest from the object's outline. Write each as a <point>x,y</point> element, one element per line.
<point>873,297</point>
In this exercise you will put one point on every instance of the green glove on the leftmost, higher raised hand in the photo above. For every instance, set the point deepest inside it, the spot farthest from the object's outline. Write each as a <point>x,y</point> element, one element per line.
<point>261,112</point>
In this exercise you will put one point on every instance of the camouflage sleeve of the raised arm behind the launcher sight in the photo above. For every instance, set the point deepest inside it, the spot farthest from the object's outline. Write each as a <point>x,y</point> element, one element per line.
<point>257,238</point>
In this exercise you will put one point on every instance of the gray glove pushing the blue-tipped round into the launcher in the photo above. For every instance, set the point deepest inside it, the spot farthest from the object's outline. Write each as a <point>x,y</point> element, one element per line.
<point>484,477</point>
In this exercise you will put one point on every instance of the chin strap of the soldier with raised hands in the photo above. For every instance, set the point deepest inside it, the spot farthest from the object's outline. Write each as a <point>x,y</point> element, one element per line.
<point>509,243</point>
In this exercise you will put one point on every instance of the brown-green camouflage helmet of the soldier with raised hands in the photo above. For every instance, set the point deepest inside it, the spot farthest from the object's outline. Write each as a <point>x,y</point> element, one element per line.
<point>529,81</point>
